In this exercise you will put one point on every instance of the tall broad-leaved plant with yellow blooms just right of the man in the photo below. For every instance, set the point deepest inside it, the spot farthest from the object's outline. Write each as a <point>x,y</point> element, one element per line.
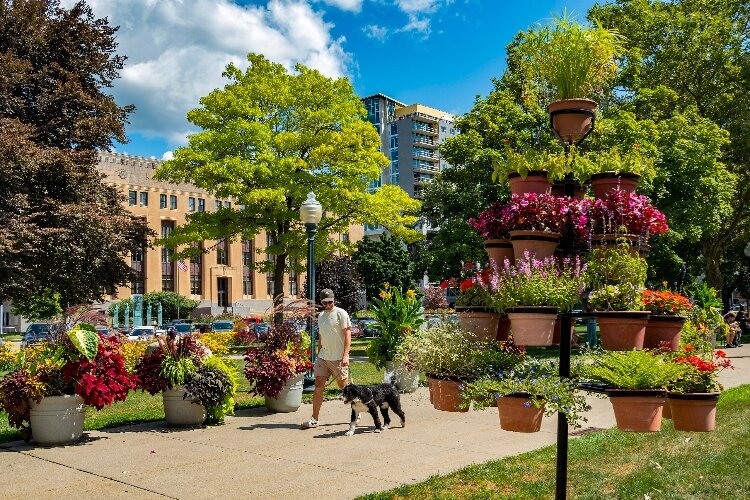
<point>398,315</point>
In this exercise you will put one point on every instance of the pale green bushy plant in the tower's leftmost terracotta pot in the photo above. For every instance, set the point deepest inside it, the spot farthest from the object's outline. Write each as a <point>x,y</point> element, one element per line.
<point>446,350</point>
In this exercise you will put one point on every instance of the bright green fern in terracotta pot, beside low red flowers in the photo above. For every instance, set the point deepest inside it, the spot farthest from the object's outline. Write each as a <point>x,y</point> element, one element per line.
<point>632,370</point>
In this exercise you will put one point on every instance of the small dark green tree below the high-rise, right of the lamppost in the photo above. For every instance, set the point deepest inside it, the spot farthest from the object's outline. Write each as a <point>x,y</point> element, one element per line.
<point>381,261</point>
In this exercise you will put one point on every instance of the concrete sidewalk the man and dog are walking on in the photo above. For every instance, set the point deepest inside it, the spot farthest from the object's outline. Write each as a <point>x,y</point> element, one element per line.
<point>257,454</point>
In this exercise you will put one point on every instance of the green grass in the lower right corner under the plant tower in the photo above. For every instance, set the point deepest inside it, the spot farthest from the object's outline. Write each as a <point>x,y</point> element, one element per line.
<point>614,464</point>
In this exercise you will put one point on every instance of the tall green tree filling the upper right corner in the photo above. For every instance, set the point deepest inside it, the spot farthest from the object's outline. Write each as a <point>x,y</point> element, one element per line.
<point>697,54</point>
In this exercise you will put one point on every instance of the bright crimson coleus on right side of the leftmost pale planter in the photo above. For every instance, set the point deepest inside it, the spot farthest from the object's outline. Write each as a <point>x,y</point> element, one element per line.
<point>103,380</point>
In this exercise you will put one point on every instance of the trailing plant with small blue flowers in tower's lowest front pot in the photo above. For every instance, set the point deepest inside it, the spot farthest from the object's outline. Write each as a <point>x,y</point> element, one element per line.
<point>536,378</point>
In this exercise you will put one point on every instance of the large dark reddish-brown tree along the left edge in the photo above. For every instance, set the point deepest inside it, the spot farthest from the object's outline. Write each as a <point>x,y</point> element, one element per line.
<point>64,231</point>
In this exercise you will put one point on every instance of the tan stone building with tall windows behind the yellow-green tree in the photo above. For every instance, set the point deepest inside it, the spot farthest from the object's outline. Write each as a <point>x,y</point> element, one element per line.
<point>223,278</point>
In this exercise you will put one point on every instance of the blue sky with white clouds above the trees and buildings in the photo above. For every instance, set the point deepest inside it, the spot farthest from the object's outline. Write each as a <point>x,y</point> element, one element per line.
<point>440,53</point>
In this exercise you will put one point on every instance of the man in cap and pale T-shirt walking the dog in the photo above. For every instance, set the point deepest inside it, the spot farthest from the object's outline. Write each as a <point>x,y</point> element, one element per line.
<point>334,341</point>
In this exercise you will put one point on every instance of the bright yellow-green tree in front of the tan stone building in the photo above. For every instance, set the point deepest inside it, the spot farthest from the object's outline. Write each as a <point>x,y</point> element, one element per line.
<point>268,138</point>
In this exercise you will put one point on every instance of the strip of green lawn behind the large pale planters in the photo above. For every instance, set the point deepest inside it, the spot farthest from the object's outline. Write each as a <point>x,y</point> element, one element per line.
<point>142,407</point>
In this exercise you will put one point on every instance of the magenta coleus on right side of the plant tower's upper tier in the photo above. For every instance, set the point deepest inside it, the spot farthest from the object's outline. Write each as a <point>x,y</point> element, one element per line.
<point>623,212</point>
